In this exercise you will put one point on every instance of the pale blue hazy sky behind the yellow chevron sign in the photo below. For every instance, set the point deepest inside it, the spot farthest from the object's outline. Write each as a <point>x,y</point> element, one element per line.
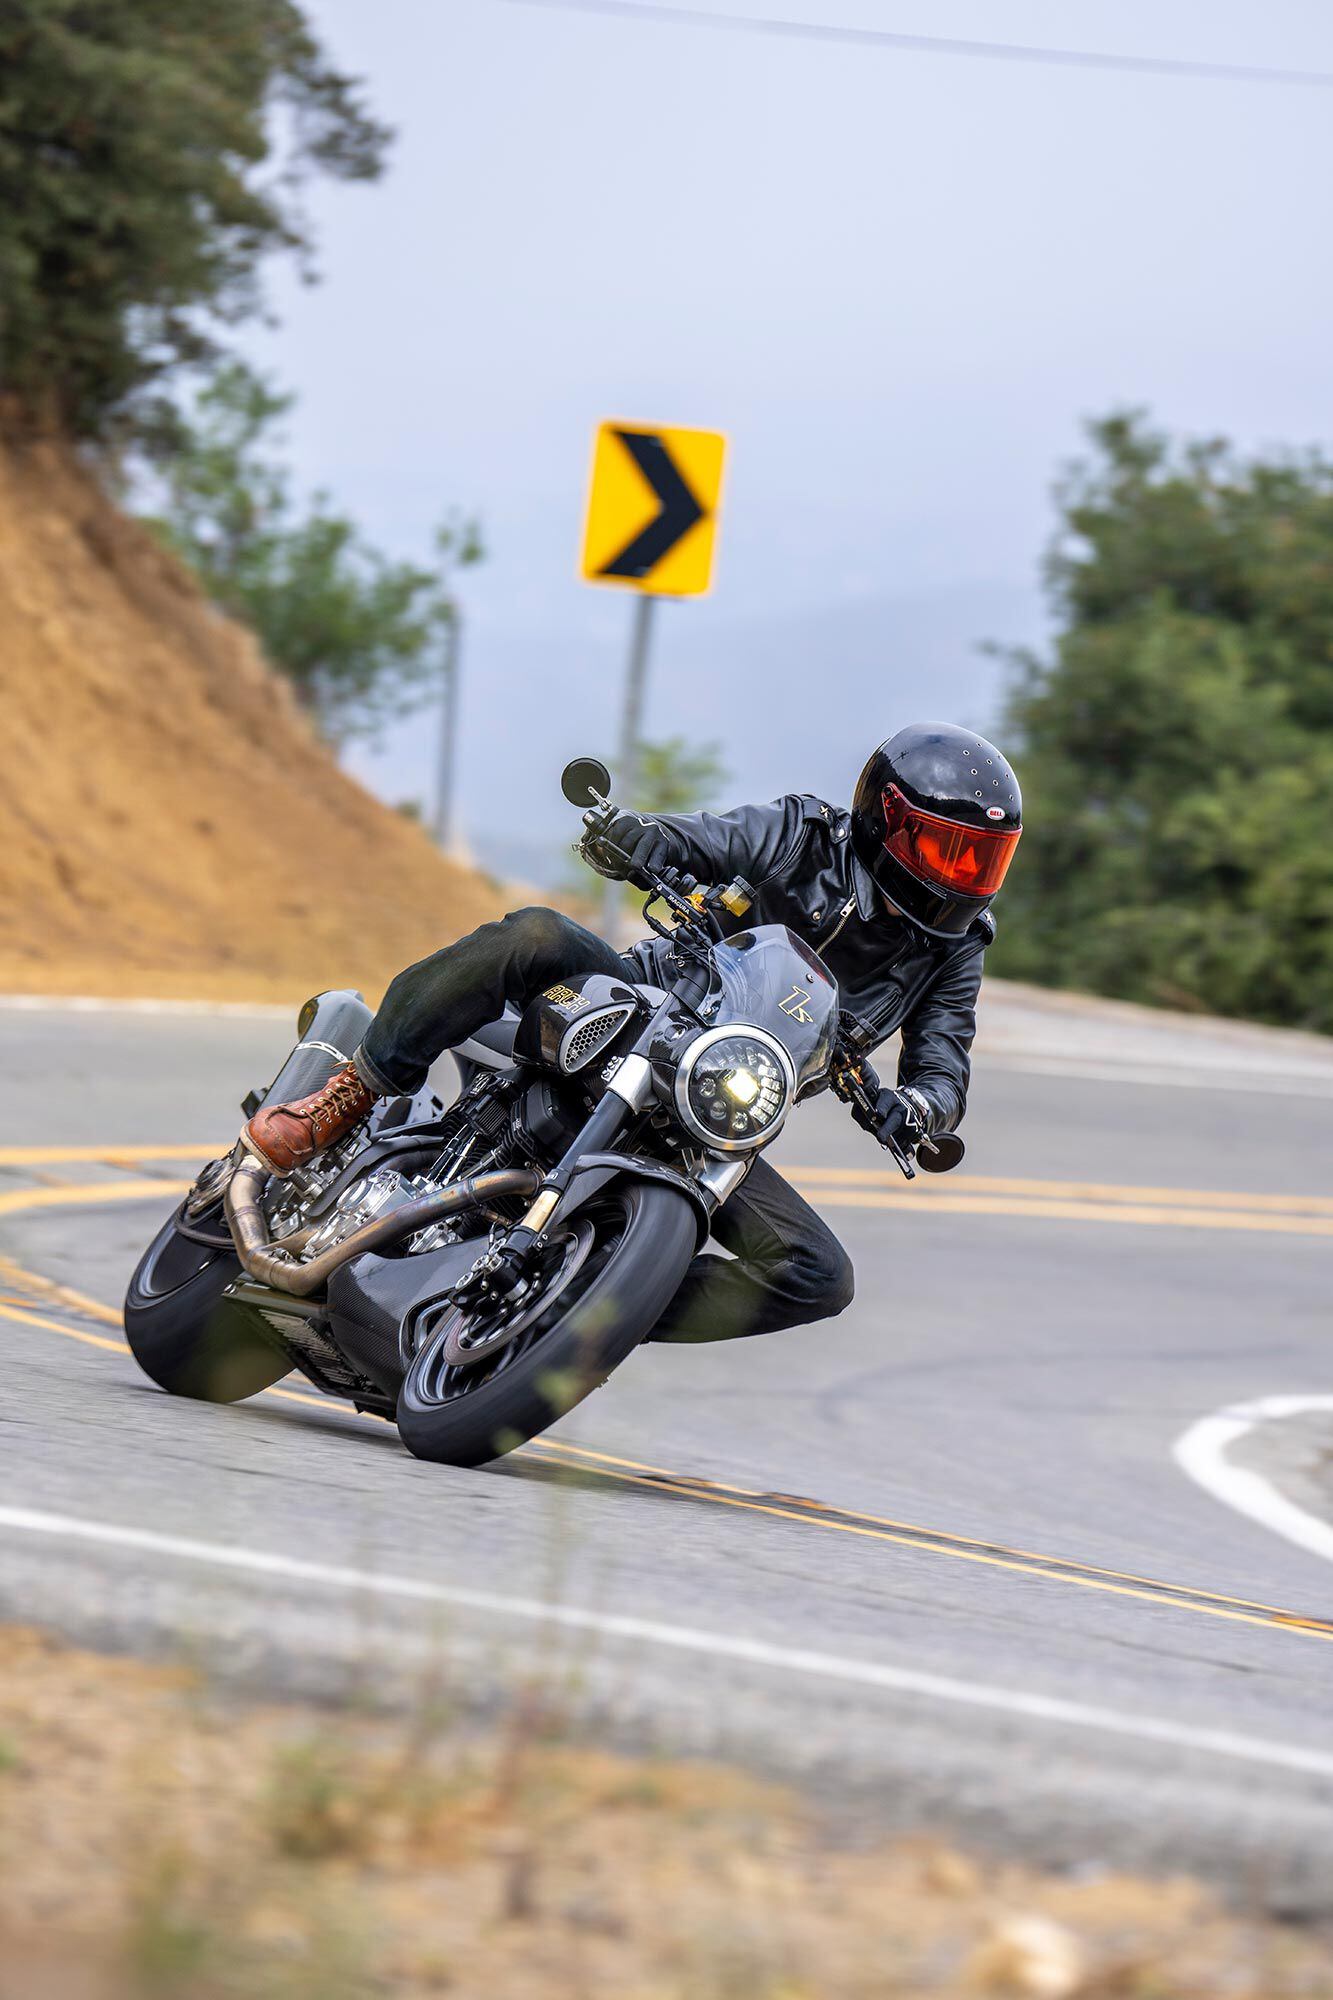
<point>898,281</point>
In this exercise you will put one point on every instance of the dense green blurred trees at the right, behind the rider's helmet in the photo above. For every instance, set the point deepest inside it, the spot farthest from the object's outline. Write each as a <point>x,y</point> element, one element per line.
<point>1178,749</point>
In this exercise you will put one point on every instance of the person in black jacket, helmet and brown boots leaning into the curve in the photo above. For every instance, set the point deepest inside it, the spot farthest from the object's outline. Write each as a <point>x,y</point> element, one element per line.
<point>894,897</point>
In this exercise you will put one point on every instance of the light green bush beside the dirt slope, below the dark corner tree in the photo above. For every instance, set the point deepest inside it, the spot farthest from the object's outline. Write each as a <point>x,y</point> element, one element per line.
<point>357,635</point>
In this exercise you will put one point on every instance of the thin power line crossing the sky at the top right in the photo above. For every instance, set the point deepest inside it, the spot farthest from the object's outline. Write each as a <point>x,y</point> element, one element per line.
<point>938,45</point>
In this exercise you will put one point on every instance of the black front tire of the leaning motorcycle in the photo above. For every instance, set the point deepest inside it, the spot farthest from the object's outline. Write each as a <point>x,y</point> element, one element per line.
<point>645,1241</point>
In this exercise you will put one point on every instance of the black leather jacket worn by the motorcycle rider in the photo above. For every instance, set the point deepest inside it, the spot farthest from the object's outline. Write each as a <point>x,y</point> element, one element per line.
<point>800,859</point>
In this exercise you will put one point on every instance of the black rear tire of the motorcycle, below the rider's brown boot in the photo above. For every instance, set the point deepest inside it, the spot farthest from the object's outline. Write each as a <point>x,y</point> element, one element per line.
<point>183,1333</point>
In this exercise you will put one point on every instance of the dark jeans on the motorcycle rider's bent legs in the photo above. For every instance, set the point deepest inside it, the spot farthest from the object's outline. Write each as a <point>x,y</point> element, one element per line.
<point>788,1267</point>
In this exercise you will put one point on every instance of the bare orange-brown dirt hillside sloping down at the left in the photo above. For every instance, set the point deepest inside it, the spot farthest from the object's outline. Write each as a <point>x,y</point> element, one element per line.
<point>169,827</point>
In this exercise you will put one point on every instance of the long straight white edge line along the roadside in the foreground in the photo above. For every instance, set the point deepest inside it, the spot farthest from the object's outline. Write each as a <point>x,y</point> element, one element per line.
<point>682,1639</point>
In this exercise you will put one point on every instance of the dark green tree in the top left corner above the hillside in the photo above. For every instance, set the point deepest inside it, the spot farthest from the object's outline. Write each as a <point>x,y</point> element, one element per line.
<point>151,153</point>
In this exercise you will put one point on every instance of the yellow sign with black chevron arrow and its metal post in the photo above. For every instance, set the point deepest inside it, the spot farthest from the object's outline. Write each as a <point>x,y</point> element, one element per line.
<point>649,527</point>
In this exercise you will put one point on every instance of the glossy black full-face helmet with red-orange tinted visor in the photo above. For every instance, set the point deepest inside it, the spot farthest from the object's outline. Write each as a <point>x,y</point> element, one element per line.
<point>936,821</point>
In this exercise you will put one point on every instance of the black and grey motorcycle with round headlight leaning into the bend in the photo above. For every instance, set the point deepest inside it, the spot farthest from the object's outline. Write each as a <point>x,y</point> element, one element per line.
<point>473,1271</point>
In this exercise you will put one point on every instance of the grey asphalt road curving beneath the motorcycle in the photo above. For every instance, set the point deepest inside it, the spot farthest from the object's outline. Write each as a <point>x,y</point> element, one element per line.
<point>1010,1615</point>
